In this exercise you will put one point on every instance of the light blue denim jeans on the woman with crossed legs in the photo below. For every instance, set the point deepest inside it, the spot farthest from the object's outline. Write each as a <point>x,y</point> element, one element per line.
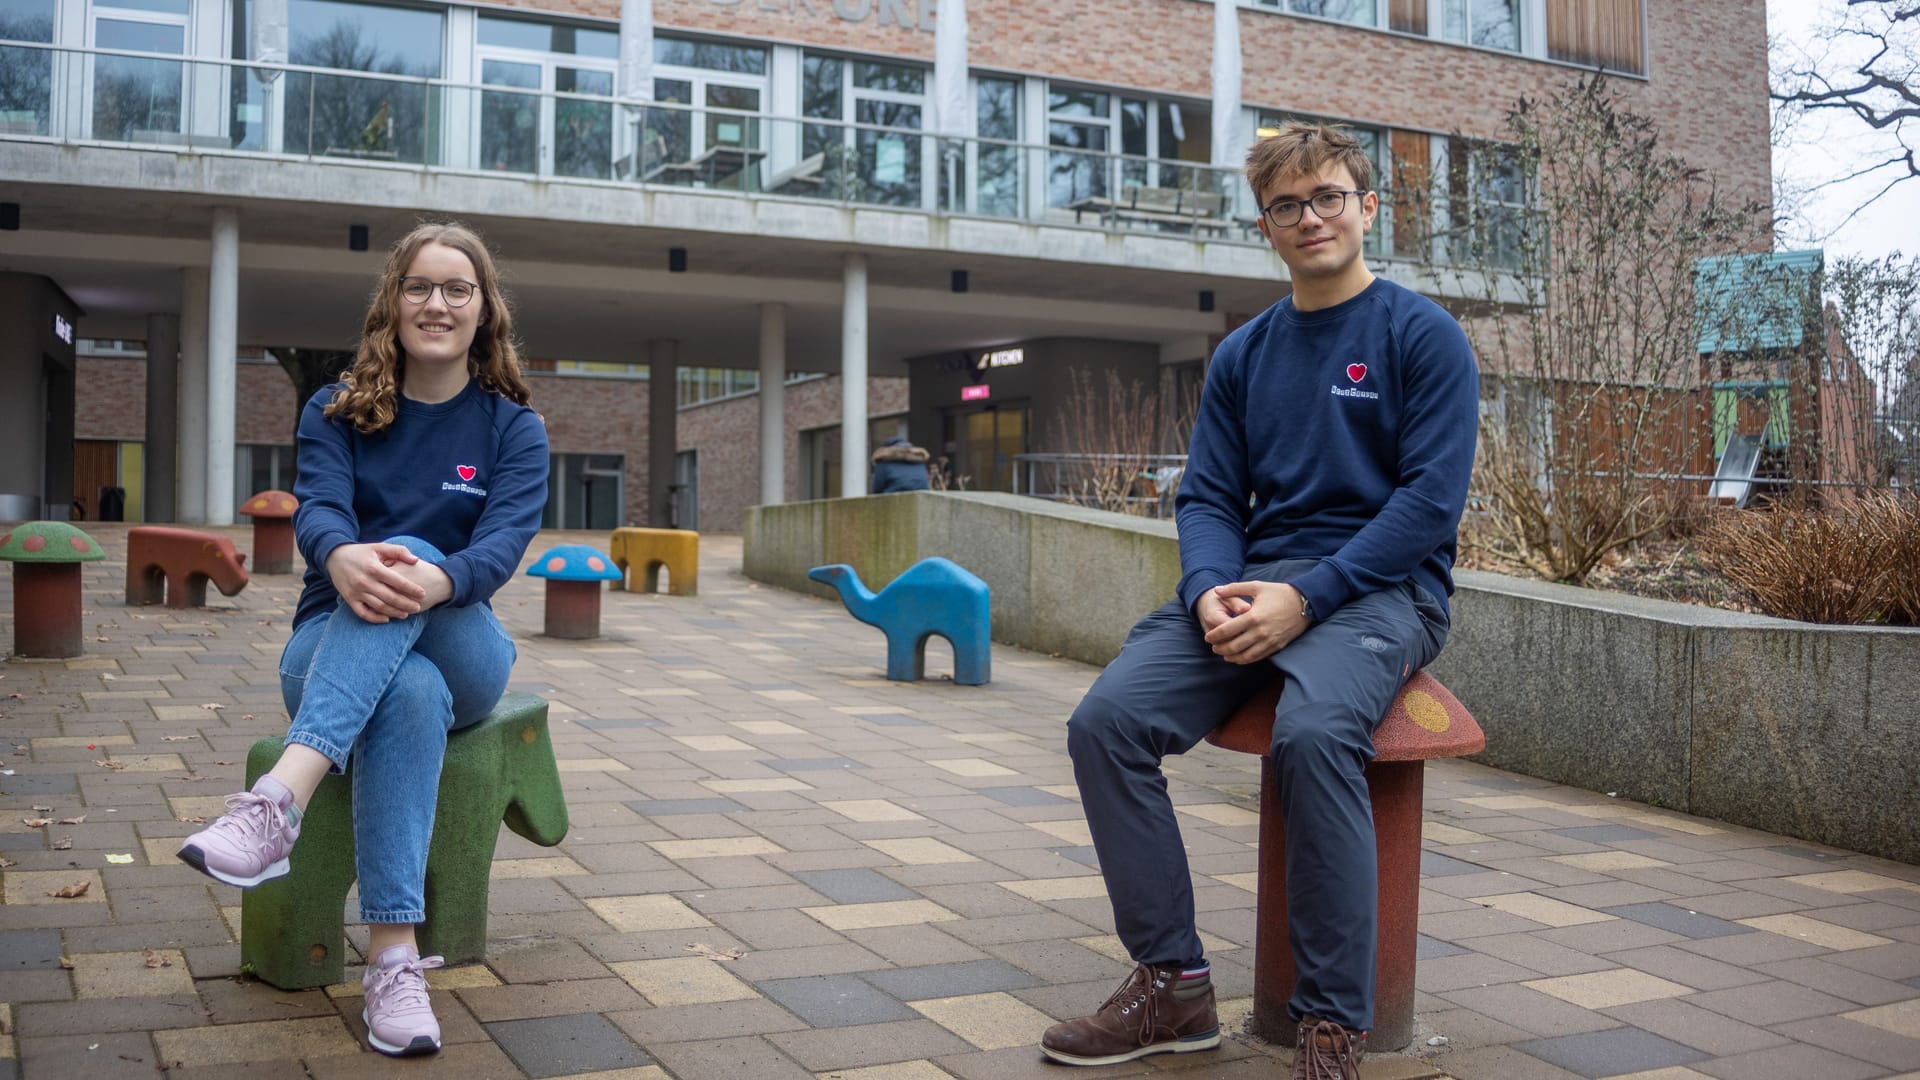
<point>385,697</point>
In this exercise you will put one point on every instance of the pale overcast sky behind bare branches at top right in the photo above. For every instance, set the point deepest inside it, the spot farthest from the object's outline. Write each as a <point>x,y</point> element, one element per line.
<point>1894,222</point>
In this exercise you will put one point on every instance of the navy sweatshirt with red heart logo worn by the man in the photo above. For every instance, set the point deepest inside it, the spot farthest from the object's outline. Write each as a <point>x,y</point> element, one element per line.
<point>1343,435</point>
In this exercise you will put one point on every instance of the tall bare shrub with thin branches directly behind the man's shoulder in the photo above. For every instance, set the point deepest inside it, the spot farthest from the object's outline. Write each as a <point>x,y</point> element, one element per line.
<point>1572,241</point>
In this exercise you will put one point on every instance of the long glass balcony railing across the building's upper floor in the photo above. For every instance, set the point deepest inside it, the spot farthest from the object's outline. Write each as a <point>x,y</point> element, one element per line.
<point>135,99</point>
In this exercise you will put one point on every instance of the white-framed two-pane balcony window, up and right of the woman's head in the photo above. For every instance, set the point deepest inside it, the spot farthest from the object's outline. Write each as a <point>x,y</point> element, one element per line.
<point>537,124</point>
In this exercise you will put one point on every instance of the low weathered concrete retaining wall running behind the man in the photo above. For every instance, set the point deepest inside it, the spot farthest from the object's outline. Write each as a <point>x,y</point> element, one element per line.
<point>1785,727</point>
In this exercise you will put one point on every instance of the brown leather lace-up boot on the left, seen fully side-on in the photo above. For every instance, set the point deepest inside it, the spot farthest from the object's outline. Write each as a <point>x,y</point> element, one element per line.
<point>1155,1012</point>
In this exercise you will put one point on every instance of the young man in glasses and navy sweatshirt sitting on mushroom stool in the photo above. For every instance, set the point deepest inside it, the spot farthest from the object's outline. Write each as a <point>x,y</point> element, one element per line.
<point>1318,526</point>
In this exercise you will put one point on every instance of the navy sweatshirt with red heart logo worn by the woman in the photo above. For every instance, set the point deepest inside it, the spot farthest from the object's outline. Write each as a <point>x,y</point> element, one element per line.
<point>469,476</point>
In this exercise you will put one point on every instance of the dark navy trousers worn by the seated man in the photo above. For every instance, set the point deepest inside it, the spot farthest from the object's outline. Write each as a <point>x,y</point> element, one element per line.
<point>1166,691</point>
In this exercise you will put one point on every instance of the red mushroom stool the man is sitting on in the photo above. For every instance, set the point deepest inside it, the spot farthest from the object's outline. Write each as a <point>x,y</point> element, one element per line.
<point>1424,724</point>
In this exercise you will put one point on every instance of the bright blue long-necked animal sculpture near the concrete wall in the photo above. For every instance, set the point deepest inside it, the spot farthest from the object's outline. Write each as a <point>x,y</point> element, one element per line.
<point>934,597</point>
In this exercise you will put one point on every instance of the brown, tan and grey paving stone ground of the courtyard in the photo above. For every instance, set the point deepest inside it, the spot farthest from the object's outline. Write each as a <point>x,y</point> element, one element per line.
<point>784,866</point>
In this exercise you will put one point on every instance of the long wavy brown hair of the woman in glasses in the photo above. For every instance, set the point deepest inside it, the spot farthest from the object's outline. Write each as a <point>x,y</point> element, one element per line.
<point>372,395</point>
